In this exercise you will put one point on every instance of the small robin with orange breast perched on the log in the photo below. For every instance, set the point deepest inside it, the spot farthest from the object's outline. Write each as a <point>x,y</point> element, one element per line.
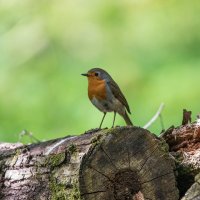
<point>105,94</point>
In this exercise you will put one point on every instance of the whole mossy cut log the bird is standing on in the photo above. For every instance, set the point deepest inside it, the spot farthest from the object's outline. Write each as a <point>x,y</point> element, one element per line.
<point>111,164</point>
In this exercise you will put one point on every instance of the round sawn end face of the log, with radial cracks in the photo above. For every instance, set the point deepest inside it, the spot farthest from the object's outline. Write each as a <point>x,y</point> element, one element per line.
<point>127,162</point>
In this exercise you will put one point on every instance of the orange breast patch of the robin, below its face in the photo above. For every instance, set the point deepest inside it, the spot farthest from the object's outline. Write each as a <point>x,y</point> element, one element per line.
<point>96,88</point>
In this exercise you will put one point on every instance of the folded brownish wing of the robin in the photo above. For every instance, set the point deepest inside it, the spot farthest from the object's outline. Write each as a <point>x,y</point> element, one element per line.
<point>118,94</point>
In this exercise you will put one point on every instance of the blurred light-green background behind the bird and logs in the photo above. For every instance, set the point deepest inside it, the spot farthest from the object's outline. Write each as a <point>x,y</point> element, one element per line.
<point>150,47</point>
